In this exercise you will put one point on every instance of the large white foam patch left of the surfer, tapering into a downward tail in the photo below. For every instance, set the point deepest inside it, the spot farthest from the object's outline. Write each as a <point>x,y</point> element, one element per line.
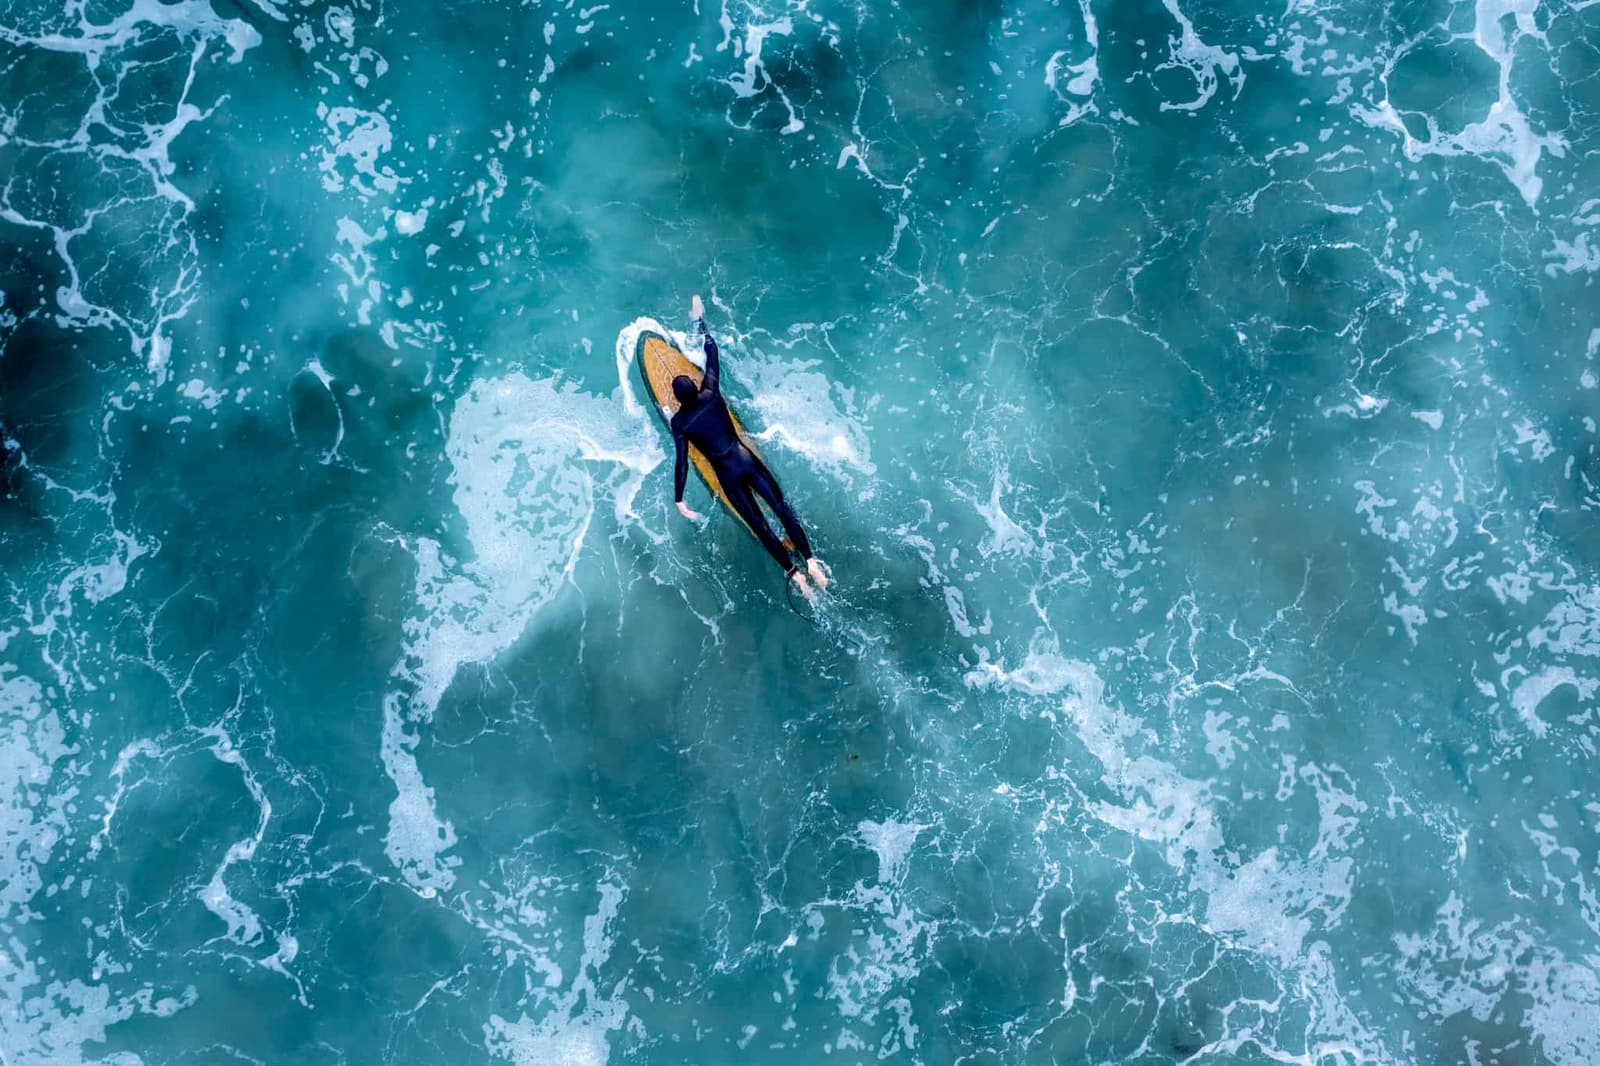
<point>529,460</point>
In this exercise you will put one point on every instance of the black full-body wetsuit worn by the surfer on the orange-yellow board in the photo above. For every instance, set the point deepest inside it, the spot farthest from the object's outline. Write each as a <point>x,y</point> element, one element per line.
<point>743,476</point>
